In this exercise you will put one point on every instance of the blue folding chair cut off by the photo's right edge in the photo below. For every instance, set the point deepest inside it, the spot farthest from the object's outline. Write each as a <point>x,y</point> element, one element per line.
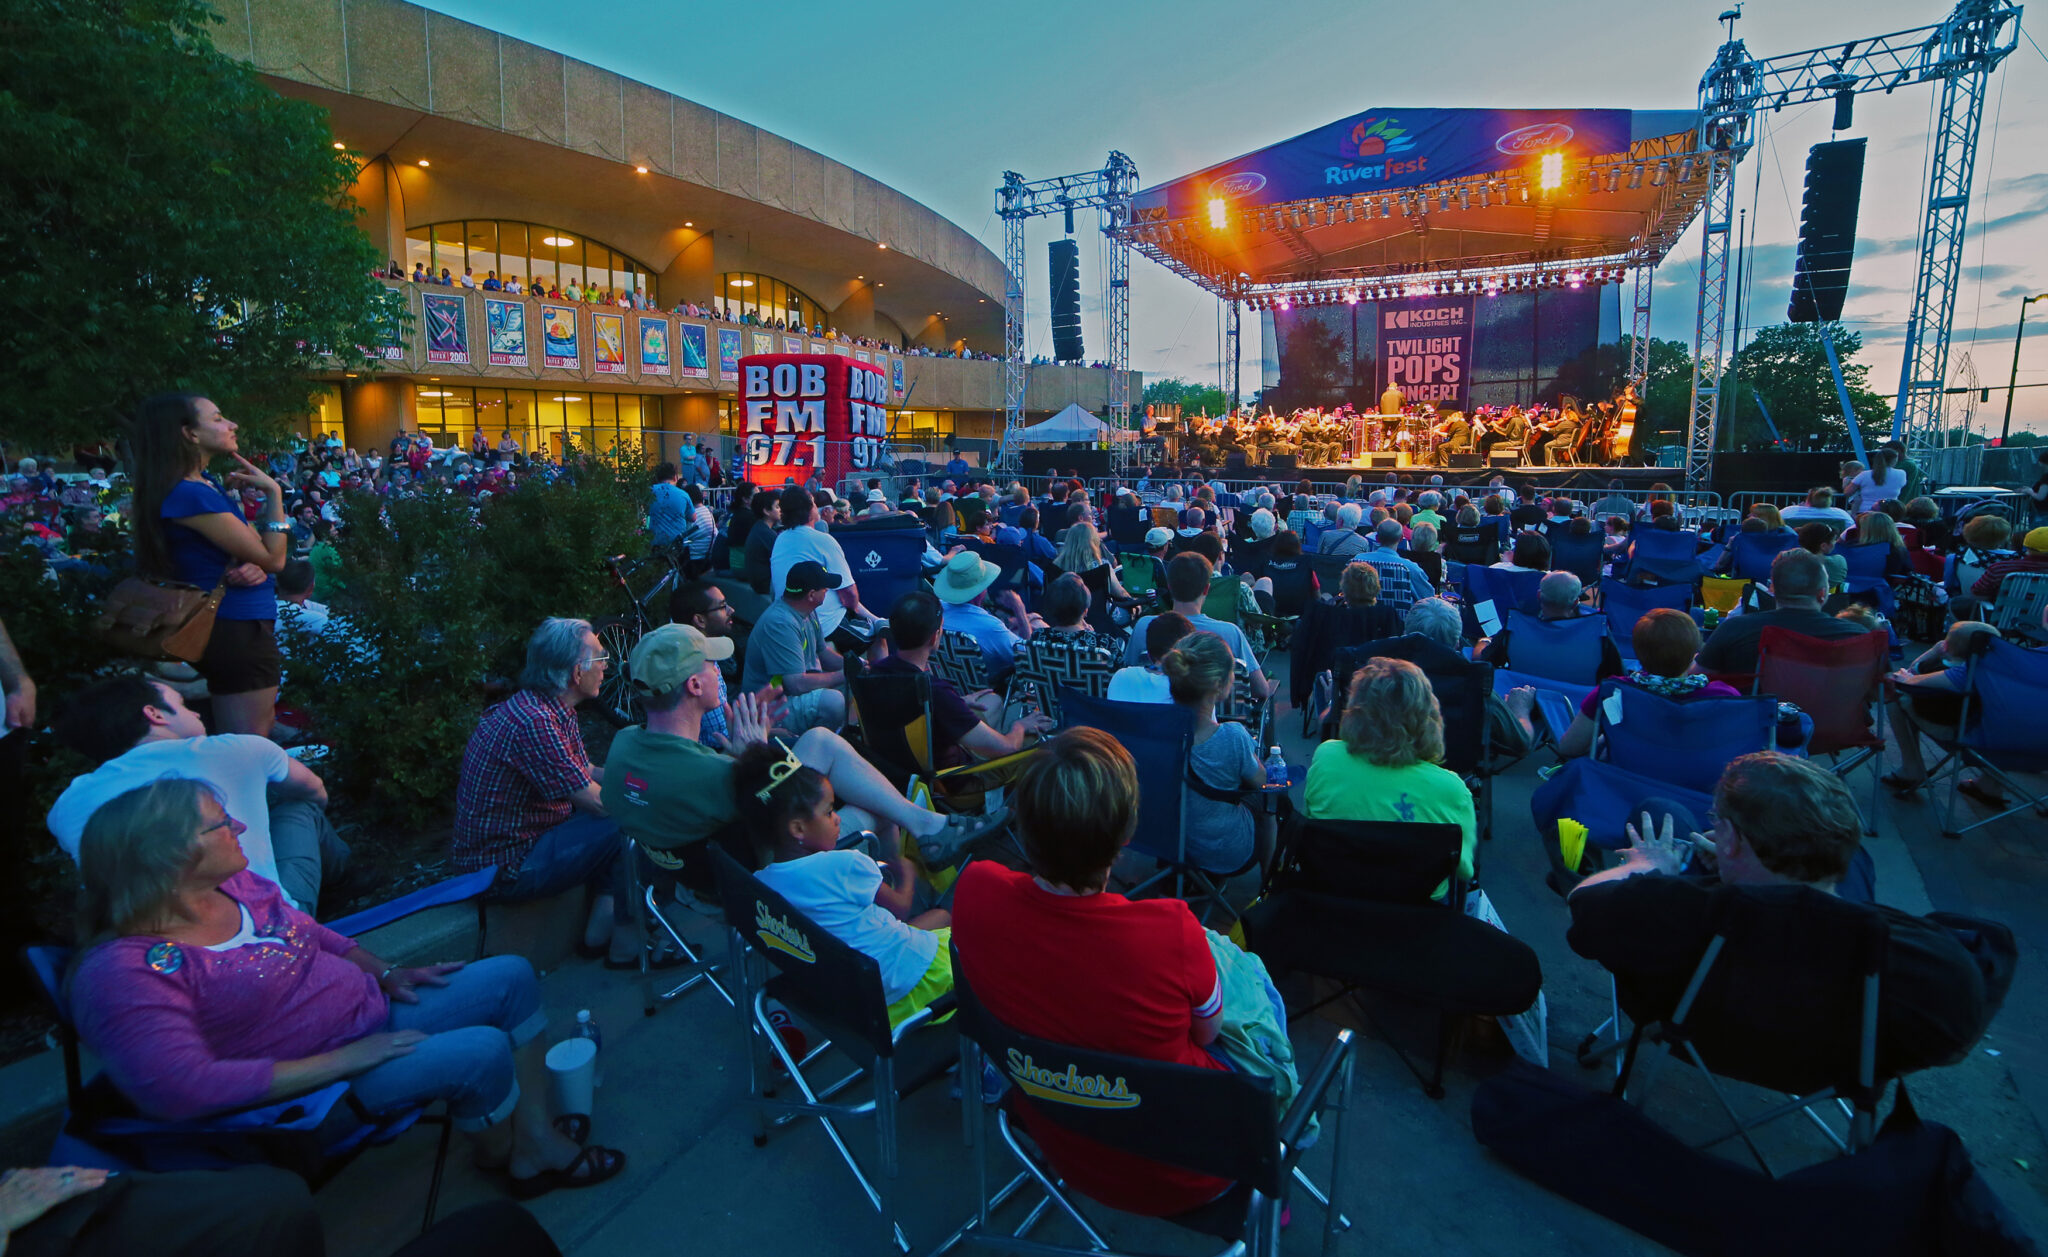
<point>2006,689</point>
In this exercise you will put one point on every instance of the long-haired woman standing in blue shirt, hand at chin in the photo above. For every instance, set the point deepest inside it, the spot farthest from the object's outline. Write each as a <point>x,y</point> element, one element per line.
<point>189,531</point>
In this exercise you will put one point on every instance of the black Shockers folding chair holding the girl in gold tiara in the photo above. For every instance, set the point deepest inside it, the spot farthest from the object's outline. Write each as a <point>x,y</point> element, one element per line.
<point>839,992</point>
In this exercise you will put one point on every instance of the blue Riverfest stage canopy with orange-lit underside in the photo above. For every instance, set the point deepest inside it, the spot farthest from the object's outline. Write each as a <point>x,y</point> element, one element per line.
<point>1388,200</point>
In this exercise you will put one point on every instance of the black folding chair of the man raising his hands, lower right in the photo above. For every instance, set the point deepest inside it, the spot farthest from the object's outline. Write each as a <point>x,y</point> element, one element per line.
<point>1787,998</point>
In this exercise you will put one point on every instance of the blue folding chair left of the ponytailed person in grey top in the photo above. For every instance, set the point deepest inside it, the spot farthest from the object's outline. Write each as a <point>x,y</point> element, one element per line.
<point>1160,738</point>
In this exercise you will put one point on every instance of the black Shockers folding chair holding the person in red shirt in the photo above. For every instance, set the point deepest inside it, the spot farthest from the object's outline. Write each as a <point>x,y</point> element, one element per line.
<point>1205,1121</point>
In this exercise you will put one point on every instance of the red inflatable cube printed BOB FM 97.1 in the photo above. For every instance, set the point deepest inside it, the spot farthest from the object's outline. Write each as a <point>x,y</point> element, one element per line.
<point>808,415</point>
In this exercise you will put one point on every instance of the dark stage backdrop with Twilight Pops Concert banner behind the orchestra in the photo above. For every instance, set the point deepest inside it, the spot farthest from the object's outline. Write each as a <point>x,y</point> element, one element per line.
<point>1521,349</point>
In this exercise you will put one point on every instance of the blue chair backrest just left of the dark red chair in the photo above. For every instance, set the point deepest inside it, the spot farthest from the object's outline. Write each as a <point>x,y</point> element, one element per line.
<point>1687,744</point>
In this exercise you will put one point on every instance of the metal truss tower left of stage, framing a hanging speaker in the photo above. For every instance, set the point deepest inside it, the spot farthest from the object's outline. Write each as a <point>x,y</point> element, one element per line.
<point>1017,202</point>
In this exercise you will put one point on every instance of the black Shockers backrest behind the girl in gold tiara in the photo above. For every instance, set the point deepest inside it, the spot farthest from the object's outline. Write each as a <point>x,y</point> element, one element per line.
<point>820,978</point>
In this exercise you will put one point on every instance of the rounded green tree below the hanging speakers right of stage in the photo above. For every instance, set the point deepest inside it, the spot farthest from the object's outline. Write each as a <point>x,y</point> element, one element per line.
<point>1787,365</point>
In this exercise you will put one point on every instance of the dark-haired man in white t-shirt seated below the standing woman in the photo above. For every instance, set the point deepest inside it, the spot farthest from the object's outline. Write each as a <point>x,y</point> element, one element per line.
<point>138,730</point>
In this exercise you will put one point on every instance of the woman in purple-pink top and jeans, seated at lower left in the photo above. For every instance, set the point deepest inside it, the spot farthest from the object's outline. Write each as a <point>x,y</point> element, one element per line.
<point>204,992</point>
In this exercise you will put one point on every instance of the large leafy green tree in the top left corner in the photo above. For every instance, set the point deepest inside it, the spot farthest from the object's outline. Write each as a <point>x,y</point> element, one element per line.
<point>167,222</point>
